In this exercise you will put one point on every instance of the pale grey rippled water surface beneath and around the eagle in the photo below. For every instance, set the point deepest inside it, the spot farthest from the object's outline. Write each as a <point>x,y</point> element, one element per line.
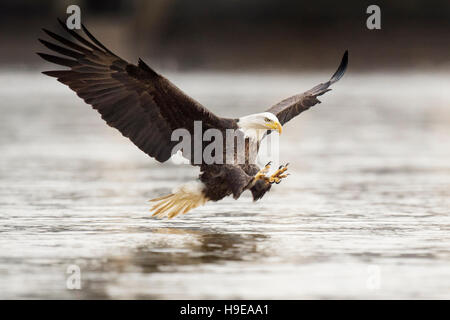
<point>364,214</point>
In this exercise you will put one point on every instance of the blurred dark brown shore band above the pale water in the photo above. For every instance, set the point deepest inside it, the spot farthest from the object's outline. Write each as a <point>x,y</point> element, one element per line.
<point>243,35</point>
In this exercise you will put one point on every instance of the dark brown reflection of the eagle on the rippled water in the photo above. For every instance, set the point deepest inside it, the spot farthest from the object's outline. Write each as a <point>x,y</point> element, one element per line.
<point>161,256</point>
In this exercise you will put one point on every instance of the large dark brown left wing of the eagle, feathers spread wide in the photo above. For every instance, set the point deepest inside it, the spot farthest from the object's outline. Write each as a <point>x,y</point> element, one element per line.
<point>141,104</point>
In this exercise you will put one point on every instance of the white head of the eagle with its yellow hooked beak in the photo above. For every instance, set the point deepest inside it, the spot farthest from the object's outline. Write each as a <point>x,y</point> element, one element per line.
<point>255,125</point>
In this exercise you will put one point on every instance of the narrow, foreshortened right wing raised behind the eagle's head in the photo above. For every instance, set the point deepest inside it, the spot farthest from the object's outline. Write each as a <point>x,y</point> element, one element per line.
<point>293,106</point>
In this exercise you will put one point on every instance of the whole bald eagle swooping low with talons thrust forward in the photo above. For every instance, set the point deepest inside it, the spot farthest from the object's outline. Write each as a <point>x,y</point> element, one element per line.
<point>147,108</point>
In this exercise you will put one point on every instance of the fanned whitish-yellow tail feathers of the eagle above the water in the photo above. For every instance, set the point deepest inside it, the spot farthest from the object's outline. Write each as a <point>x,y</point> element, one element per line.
<point>184,198</point>
